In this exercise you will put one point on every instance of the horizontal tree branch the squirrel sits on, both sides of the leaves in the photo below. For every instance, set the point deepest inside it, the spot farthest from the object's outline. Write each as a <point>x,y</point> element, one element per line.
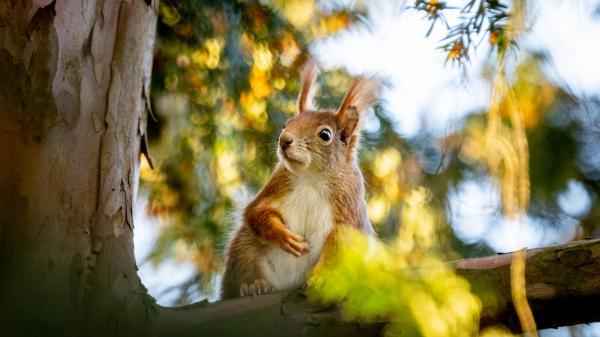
<point>563,288</point>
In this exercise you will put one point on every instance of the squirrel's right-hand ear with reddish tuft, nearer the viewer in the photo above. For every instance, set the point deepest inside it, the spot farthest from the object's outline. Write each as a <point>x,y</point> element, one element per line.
<point>359,98</point>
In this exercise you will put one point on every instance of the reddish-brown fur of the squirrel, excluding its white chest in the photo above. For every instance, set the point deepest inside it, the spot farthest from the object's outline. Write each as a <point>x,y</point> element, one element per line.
<point>333,162</point>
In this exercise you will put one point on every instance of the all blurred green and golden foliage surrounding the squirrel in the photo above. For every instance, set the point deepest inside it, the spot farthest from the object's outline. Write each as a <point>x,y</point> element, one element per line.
<point>225,80</point>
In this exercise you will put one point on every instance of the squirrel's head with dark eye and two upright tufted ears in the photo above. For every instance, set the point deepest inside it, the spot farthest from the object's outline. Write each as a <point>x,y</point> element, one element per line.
<point>319,140</point>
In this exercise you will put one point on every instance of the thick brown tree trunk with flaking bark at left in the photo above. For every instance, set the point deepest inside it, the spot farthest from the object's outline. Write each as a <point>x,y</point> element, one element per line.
<point>74,83</point>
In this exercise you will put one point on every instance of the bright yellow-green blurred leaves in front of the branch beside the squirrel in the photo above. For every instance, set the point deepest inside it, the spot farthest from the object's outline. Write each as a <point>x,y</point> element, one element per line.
<point>405,282</point>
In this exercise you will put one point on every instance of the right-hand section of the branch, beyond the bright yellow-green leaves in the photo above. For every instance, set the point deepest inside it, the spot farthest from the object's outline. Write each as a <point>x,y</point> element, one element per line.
<point>563,285</point>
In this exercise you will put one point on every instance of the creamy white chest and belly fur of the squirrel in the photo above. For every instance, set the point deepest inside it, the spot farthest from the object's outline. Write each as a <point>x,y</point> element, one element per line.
<point>307,212</point>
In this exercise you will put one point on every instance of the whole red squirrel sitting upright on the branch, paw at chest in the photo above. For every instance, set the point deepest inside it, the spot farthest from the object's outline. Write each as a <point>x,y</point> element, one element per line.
<point>315,188</point>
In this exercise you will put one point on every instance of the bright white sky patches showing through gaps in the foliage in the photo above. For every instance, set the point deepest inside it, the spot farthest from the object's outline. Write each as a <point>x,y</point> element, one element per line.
<point>427,92</point>
